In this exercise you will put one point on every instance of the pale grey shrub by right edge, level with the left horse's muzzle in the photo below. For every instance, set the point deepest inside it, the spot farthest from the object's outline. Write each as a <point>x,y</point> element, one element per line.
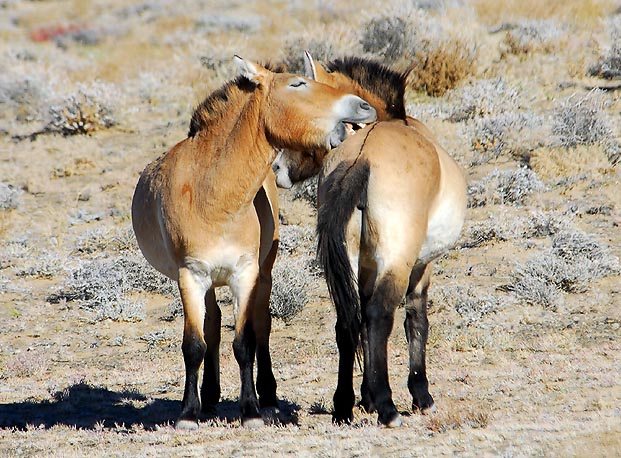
<point>585,121</point>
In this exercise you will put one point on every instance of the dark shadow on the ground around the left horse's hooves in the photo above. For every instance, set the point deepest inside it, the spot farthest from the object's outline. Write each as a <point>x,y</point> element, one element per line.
<point>86,407</point>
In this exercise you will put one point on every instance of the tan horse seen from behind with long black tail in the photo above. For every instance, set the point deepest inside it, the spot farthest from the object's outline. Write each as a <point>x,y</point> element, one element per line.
<point>390,200</point>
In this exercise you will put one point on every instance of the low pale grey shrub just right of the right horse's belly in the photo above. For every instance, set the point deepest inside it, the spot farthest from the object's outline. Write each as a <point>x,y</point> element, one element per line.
<point>504,187</point>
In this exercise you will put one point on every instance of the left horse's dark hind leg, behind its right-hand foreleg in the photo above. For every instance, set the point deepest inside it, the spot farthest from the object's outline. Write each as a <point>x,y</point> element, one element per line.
<point>262,321</point>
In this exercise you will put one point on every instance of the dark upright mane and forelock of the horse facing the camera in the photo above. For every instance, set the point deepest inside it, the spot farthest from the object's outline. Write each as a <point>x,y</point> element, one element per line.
<point>214,103</point>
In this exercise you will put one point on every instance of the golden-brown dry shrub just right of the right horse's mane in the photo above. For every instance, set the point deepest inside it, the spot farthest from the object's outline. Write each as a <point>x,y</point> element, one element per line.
<point>438,69</point>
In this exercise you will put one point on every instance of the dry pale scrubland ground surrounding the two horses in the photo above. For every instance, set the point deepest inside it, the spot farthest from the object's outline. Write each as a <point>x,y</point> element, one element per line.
<point>510,376</point>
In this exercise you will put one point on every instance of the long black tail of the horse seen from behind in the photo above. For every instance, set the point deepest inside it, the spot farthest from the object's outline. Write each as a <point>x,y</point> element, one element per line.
<point>344,191</point>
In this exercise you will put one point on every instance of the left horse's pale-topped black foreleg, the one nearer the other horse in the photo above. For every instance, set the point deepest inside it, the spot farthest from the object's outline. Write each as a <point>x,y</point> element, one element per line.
<point>244,344</point>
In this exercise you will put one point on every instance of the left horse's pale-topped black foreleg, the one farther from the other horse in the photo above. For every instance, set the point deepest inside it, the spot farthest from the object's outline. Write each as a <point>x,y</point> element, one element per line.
<point>193,346</point>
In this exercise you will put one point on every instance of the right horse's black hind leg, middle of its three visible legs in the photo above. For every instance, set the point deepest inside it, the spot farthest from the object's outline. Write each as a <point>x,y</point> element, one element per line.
<point>380,312</point>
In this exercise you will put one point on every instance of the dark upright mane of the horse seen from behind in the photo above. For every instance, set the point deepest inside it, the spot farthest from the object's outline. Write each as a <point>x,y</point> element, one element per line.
<point>384,82</point>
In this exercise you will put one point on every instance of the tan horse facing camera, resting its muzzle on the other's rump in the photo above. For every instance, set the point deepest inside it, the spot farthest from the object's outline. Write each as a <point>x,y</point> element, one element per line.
<point>205,215</point>
